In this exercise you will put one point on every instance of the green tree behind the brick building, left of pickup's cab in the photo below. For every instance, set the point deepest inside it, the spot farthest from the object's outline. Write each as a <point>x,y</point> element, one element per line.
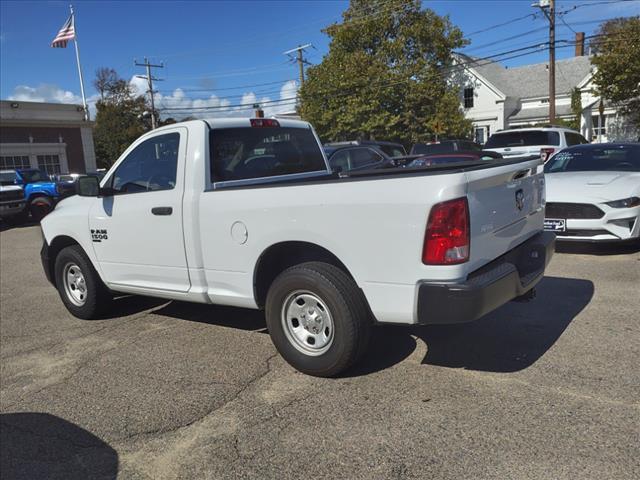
<point>118,119</point>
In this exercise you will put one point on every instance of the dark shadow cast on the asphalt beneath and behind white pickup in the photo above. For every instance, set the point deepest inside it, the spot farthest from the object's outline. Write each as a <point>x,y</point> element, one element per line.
<point>510,339</point>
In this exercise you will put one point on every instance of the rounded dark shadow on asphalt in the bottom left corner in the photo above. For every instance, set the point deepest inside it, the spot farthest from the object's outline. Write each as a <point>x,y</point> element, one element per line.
<point>39,445</point>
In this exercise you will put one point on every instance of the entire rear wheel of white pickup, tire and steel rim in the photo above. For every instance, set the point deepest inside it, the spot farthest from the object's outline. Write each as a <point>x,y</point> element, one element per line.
<point>318,319</point>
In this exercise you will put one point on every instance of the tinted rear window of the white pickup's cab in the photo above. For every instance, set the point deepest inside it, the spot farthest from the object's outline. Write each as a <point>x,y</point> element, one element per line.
<point>246,153</point>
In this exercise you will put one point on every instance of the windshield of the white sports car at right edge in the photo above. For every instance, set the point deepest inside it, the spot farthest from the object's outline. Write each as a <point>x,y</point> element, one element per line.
<point>624,158</point>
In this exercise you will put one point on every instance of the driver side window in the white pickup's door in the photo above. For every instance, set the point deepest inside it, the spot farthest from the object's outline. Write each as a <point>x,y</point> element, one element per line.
<point>151,166</point>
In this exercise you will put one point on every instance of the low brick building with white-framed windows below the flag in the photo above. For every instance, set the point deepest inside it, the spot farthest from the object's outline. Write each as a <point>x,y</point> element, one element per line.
<point>49,136</point>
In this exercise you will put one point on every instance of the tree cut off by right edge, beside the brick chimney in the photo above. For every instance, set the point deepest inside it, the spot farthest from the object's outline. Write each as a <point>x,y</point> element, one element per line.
<point>617,60</point>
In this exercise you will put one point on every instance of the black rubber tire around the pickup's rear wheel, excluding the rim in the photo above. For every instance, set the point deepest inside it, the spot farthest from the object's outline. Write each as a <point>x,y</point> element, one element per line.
<point>348,309</point>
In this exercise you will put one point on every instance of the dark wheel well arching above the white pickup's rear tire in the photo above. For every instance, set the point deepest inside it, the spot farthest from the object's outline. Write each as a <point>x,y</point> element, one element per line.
<point>277,258</point>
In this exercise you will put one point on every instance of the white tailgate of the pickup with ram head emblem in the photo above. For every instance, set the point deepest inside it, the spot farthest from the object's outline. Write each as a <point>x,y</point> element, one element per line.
<point>506,207</point>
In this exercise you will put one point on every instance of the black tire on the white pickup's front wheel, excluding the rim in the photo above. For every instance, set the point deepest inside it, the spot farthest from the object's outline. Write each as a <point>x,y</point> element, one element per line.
<point>97,297</point>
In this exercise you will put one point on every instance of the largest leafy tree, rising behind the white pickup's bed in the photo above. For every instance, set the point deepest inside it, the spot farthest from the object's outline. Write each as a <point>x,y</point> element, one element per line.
<point>385,75</point>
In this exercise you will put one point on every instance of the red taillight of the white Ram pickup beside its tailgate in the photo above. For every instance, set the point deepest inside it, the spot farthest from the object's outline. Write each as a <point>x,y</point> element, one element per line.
<point>446,241</point>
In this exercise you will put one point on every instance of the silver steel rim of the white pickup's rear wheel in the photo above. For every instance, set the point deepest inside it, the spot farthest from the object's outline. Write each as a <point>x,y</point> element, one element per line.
<point>307,323</point>
